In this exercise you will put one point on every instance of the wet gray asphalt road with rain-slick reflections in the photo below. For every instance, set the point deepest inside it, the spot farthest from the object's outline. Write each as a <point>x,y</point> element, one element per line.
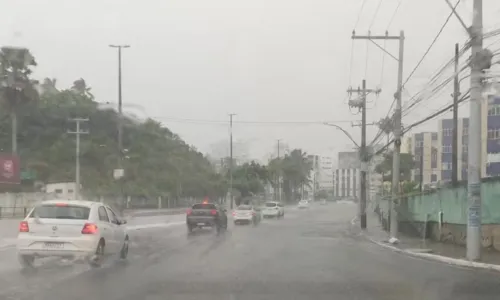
<point>310,254</point>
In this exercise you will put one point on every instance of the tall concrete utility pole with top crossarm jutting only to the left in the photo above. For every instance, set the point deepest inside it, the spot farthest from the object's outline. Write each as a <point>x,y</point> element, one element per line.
<point>397,122</point>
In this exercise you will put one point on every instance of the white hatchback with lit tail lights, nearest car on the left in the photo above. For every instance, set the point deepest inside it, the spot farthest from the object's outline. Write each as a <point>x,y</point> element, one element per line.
<point>71,229</point>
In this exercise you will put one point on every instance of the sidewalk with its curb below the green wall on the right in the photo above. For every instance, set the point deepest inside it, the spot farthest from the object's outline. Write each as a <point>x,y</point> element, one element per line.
<point>449,253</point>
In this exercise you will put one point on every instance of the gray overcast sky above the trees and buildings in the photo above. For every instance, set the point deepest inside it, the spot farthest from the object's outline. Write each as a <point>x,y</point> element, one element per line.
<point>265,60</point>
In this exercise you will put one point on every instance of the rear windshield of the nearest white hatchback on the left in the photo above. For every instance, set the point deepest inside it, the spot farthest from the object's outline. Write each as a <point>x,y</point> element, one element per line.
<point>53,211</point>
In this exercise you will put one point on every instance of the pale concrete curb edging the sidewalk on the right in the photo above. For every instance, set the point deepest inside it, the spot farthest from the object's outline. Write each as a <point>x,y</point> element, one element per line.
<point>436,257</point>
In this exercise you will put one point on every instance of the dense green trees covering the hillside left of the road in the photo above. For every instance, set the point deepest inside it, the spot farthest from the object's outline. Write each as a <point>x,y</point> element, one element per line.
<point>36,119</point>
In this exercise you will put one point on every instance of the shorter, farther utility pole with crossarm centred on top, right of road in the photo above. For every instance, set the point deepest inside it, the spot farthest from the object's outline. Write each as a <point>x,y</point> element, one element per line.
<point>361,104</point>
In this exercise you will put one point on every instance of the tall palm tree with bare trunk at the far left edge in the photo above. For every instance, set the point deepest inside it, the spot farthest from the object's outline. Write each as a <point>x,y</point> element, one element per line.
<point>16,87</point>
